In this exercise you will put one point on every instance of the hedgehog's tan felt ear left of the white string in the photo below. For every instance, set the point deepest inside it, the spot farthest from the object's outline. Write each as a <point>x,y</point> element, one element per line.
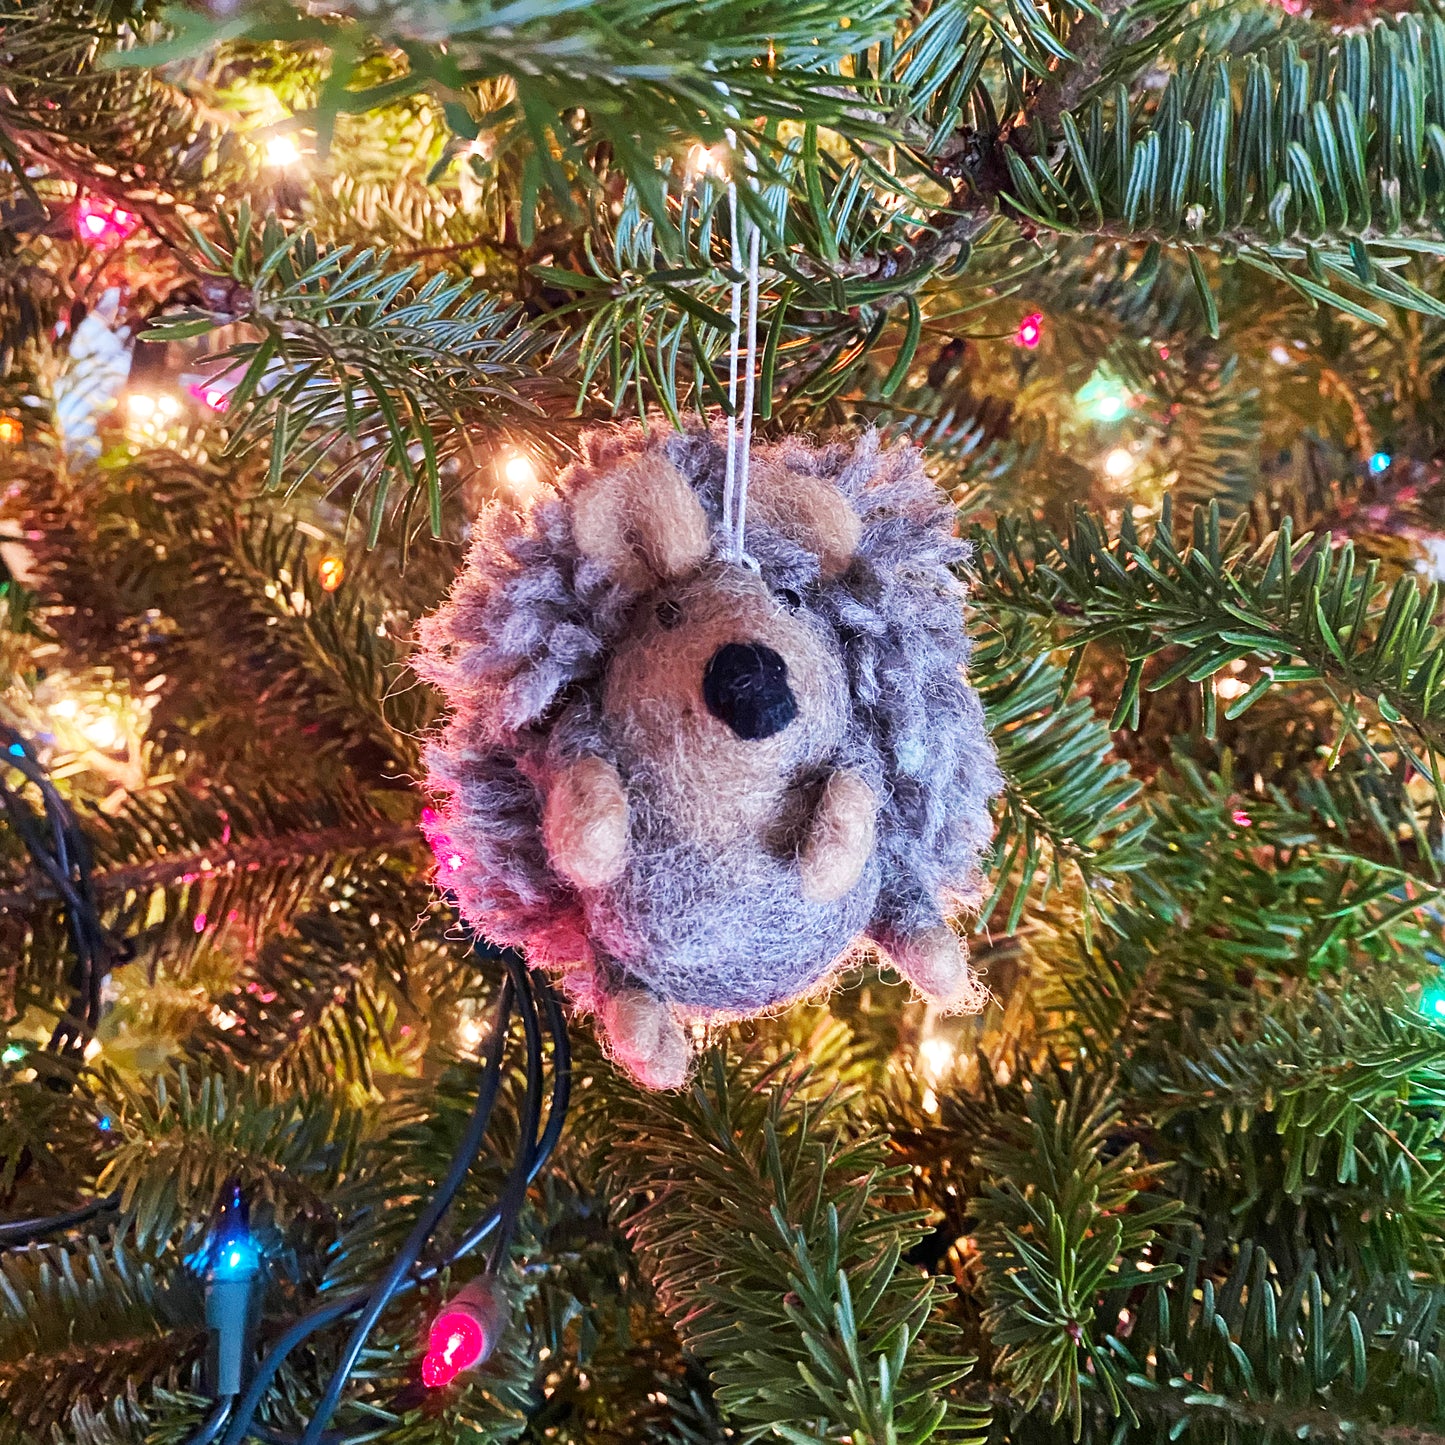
<point>641,521</point>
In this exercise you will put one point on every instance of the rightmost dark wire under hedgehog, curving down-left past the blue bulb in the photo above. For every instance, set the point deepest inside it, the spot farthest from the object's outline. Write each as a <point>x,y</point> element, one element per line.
<point>333,1311</point>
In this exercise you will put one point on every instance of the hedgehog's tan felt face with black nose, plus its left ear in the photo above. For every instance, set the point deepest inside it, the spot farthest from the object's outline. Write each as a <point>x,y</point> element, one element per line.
<point>729,696</point>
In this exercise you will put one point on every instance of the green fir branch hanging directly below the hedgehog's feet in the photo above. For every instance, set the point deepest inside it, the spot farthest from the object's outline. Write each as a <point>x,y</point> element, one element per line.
<point>780,1202</point>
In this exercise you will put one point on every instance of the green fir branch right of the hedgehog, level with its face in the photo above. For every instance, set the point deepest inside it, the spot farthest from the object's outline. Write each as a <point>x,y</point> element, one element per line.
<point>1298,609</point>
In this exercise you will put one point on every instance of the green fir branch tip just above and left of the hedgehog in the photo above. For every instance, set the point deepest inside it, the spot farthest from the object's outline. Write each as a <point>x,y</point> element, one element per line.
<point>355,368</point>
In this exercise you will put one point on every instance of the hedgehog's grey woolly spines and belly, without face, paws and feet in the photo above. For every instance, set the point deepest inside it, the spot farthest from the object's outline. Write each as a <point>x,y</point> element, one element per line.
<point>522,652</point>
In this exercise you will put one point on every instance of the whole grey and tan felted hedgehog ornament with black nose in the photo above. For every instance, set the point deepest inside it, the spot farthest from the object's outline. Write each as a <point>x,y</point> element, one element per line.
<point>690,780</point>
